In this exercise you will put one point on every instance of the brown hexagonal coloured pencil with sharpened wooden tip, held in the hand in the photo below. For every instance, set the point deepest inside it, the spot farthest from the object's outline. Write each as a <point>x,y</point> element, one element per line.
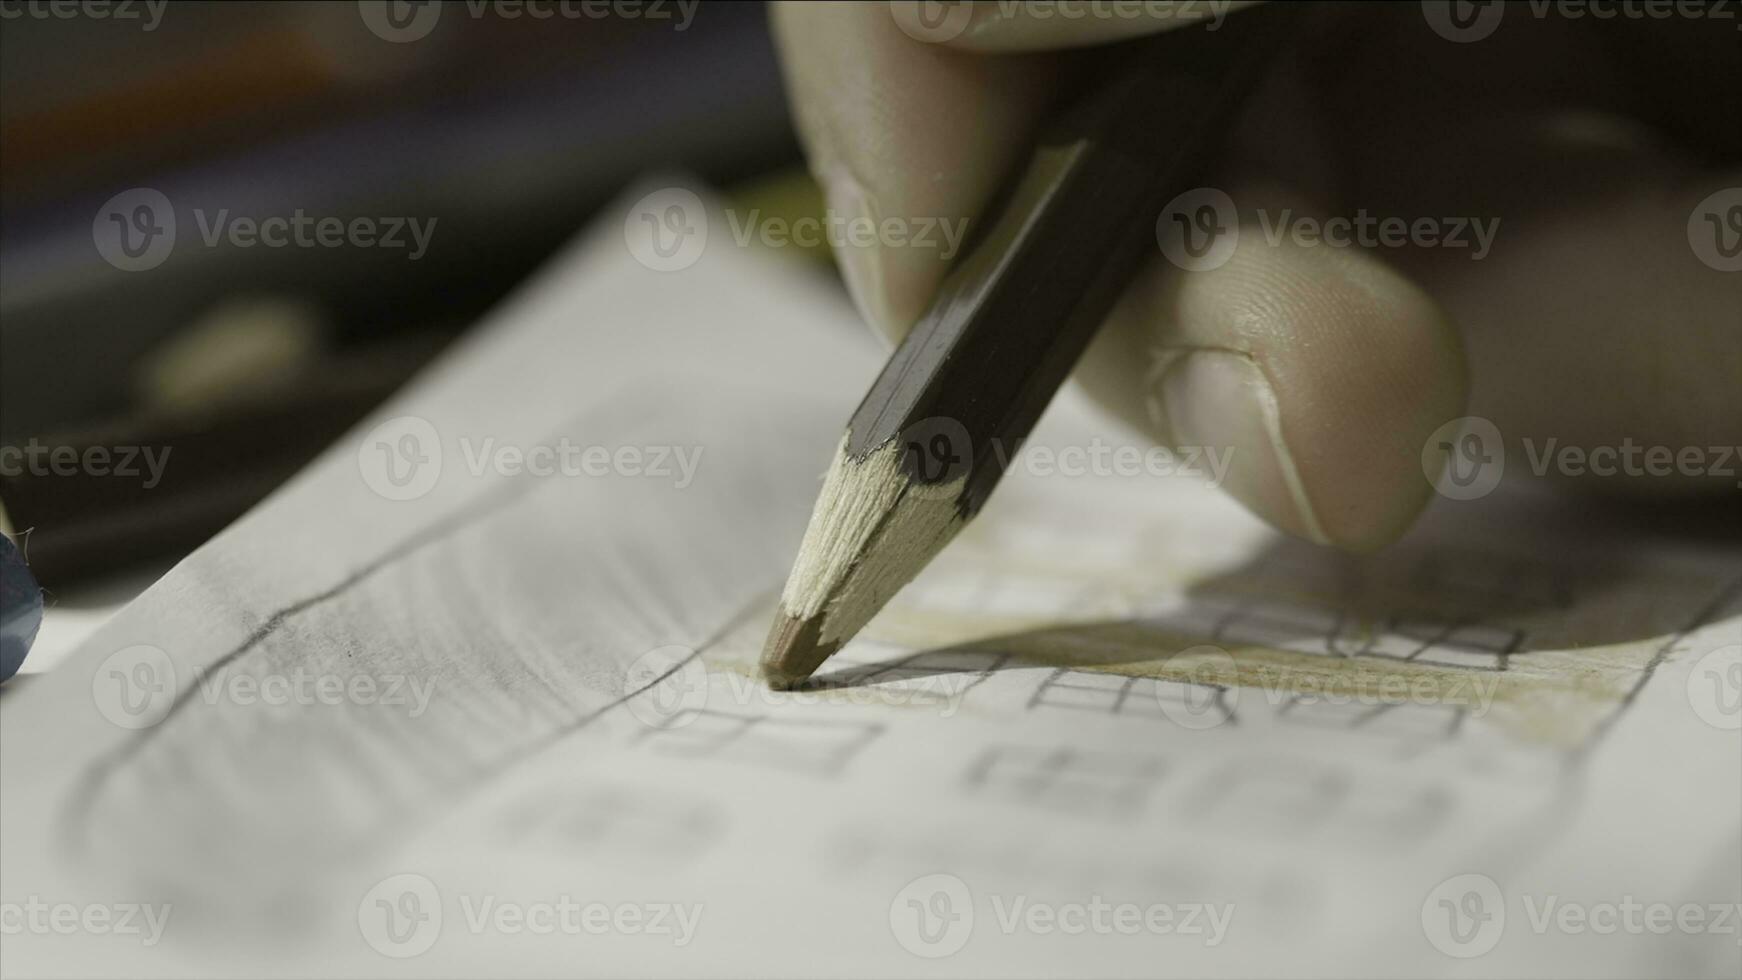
<point>961,394</point>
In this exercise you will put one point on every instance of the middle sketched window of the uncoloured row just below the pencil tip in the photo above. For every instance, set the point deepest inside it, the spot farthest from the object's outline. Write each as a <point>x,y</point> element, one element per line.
<point>1076,781</point>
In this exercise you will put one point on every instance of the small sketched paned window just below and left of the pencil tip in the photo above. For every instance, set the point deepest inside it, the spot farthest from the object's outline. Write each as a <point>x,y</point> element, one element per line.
<point>807,746</point>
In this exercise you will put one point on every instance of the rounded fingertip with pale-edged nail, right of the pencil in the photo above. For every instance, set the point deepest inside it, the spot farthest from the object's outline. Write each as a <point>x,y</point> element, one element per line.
<point>1316,373</point>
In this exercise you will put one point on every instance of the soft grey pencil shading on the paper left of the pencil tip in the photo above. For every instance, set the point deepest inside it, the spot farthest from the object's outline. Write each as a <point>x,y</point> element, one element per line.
<point>522,652</point>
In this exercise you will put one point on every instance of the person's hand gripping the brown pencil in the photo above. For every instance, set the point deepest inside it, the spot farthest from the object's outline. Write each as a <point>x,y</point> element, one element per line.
<point>1537,269</point>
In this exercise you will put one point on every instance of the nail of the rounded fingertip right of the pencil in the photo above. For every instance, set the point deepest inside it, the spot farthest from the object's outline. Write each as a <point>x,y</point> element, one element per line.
<point>1222,403</point>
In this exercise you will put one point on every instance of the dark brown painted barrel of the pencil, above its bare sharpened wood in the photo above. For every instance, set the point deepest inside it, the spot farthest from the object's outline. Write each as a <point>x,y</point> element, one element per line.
<point>969,384</point>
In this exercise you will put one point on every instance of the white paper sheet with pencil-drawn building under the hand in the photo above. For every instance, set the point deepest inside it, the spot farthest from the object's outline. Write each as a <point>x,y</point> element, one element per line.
<point>510,725</point>
